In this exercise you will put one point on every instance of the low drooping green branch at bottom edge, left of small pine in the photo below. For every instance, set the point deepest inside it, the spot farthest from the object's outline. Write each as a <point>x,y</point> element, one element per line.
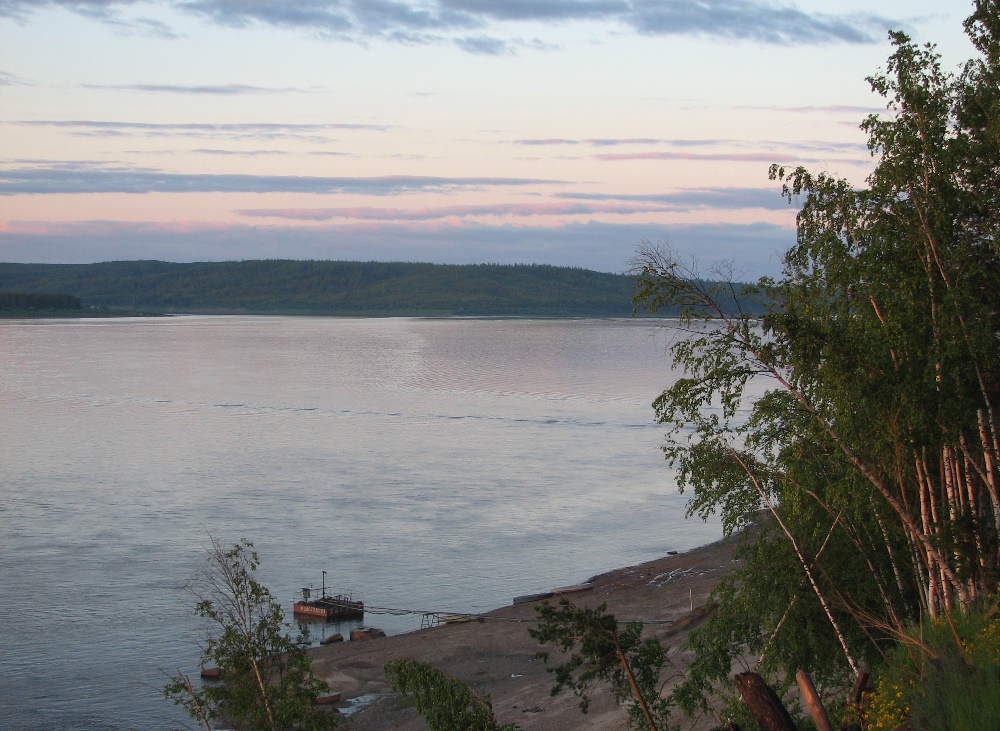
<point>445,703</point>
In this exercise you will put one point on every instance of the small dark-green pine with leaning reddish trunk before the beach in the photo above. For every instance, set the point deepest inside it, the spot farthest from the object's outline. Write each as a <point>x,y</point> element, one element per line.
<point>601,651</point>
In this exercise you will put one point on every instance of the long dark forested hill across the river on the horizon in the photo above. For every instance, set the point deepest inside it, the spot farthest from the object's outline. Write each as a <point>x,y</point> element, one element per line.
<point>330,287</point>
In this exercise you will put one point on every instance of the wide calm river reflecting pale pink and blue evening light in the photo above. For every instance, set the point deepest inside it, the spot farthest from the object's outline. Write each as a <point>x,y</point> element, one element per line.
<point>426,464</point>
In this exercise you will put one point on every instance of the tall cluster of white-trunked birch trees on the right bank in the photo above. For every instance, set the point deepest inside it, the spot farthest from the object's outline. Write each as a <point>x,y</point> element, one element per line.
<point>857,413</point>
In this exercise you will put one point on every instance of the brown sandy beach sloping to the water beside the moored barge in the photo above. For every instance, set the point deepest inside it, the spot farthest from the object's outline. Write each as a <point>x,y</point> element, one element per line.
<point>495,654</point>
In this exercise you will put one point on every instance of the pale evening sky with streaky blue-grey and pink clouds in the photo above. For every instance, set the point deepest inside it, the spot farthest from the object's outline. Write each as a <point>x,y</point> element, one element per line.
<point>563,132</point>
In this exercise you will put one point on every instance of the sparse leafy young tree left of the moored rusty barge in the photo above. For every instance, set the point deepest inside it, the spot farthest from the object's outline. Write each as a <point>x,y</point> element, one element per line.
<point>267,679</point>
